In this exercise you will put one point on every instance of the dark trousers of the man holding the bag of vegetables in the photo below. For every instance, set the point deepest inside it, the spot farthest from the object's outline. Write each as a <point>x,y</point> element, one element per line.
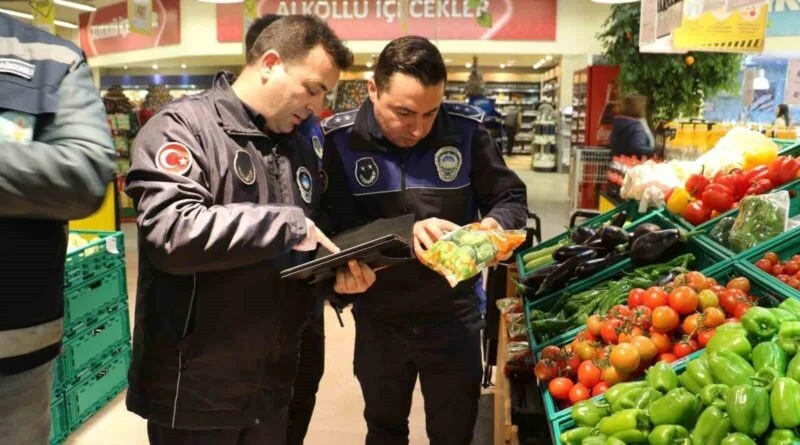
<point>447,359</point>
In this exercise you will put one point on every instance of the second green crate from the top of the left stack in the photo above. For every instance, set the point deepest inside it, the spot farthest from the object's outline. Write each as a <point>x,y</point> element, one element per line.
<point>93,299</point>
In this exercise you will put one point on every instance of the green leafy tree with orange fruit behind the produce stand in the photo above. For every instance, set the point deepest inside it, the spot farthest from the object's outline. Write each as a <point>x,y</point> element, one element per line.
<point>674,84</point>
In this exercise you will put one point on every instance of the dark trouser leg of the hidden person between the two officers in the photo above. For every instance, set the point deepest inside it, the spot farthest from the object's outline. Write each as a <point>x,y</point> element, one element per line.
<point>311,365</point>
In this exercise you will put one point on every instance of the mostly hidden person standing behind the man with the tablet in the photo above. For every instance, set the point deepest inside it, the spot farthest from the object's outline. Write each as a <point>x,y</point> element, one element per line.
<point>311,364</point>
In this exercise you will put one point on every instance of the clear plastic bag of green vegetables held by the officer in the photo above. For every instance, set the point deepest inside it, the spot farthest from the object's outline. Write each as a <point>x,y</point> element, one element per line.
<point>464,253</point>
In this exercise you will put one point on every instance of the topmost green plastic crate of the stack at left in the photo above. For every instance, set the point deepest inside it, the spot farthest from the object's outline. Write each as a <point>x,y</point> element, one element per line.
<point>94,259</point>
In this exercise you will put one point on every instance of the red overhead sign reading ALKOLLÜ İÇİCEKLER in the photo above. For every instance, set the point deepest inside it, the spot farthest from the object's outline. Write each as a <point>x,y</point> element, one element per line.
<point>388,19</point>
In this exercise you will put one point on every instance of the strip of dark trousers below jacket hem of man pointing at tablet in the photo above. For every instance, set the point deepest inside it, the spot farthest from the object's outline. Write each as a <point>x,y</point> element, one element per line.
<point>269,432</point>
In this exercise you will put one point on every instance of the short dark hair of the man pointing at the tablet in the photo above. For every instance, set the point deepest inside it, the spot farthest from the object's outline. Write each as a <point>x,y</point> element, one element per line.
<point>293,36</point>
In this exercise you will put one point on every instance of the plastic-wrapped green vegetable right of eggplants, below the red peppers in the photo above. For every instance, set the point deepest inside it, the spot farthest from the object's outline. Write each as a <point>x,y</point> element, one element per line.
<point>760,218</point>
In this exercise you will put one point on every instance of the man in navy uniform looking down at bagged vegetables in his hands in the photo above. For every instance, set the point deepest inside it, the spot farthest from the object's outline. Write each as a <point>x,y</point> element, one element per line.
<point>404,151</point>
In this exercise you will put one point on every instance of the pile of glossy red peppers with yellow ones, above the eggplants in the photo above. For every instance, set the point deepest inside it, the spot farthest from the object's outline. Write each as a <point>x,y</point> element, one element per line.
<point>702,198</point>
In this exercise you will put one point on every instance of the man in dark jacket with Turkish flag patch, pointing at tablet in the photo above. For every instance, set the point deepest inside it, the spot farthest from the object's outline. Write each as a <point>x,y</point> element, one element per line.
<point>224,187</point>
